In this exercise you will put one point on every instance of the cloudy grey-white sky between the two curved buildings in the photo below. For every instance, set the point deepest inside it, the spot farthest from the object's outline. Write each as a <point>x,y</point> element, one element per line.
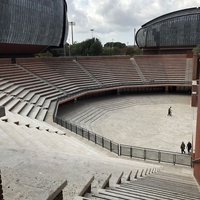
<point>115,20</point>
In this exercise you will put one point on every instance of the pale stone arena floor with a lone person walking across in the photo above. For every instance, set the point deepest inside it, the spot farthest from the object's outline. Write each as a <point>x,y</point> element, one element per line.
<point>138,120</point>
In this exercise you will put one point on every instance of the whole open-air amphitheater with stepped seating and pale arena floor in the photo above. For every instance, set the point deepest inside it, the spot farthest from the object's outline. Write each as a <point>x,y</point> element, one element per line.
<point>39,156</point>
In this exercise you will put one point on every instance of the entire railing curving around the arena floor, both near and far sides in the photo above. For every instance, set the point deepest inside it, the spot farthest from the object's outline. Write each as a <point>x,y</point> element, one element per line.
<point>120,149</point>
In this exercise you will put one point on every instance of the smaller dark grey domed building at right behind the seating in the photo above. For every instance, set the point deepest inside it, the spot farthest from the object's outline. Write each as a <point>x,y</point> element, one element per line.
<point>176,30</point>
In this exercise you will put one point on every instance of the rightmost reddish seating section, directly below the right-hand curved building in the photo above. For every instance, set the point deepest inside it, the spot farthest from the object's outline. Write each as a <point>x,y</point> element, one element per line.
<point>164,68</point>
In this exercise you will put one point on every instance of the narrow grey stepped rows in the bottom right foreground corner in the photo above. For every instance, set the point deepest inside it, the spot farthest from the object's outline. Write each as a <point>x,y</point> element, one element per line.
<point>159,186</point>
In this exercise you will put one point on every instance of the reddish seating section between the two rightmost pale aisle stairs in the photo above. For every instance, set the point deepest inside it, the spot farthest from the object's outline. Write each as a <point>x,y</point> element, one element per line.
<point>111,70</point>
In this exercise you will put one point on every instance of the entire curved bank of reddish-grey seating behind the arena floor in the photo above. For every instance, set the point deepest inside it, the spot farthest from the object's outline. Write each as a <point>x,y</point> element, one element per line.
<point>31,82</point>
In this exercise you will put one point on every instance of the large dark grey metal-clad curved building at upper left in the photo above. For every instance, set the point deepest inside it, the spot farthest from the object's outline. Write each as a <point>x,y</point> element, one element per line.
<point>30,26</point>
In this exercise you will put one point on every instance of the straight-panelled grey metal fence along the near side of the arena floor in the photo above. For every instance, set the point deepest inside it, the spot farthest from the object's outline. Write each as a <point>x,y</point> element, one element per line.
<point>127,150</point>
